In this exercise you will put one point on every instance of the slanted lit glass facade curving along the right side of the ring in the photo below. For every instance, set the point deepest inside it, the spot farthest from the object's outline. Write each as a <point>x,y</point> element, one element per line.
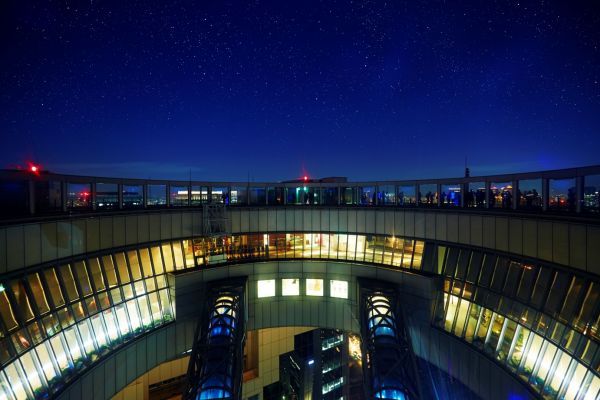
<point>535,319</point>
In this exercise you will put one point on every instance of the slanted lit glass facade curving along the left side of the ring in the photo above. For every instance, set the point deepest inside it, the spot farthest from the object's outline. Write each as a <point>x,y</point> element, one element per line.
<point>58,321</point>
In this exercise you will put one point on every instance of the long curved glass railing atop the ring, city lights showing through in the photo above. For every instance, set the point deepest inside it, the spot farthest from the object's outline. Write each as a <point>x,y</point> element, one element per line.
<point>575,190</point>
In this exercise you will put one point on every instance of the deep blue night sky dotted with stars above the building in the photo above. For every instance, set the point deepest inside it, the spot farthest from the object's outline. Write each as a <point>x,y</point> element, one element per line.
<point>268,90</point>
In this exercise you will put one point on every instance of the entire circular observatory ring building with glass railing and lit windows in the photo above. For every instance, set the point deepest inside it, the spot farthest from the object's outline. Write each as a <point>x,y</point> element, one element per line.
<point>497,277</point>
